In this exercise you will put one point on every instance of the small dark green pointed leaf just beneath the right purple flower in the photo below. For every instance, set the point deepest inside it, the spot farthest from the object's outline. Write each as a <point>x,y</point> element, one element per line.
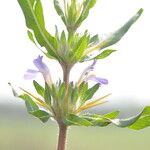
<point>90,92</point>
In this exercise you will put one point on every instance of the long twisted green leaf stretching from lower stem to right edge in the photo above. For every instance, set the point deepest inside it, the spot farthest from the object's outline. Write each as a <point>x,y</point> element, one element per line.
<point>137,122</point>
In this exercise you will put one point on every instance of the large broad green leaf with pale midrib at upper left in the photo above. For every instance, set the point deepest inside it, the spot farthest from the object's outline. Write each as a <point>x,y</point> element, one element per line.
<point>33,13</point>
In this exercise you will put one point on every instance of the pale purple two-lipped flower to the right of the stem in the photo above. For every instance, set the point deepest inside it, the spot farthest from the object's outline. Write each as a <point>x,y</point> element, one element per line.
<point>86,75</point>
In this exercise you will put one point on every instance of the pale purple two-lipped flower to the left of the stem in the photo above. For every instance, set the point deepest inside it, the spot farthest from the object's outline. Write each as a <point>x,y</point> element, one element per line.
<point>42,68</point>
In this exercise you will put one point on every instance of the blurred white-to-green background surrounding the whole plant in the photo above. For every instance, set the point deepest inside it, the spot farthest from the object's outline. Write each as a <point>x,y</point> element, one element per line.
<point>127,71</point>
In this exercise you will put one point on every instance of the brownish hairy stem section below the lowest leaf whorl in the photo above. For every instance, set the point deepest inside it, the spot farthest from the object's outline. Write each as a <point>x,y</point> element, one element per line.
<point>62,137</point>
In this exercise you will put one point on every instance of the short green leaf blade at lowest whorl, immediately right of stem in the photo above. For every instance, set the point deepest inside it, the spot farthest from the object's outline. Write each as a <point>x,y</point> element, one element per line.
<point>77,120</point>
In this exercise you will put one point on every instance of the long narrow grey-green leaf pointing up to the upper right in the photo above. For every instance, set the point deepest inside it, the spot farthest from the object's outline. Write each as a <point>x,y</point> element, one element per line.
<point>116,36</point>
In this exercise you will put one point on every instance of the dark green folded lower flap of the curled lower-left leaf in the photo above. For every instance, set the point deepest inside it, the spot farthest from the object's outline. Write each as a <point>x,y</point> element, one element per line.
<point>42,115</point>
